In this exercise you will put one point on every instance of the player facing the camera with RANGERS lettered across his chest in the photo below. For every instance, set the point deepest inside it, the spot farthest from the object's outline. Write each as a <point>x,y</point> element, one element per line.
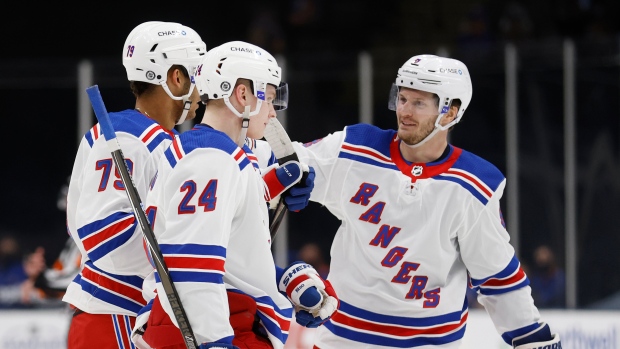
<point>420,220</point>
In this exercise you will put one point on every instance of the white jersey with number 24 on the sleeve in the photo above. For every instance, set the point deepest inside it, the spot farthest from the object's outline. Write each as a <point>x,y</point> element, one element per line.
<point>210,218</point>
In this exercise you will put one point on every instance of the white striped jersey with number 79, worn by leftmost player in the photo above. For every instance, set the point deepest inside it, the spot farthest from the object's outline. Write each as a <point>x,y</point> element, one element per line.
<point>100,218</point>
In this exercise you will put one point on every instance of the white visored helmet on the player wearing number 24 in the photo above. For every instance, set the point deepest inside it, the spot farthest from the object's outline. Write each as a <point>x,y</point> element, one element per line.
<point>225,64</point>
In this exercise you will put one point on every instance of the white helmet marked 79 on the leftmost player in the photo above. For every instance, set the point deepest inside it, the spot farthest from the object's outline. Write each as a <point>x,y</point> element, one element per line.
<point>153,47</point>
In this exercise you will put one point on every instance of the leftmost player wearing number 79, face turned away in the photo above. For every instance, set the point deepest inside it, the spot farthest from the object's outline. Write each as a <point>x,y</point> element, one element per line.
<point>160,59</point>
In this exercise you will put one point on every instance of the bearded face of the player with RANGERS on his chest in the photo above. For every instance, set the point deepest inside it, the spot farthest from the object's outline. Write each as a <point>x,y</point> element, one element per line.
<point>416,112</point>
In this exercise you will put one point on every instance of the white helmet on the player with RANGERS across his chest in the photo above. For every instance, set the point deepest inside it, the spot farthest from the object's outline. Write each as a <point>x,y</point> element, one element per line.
<point>446,77</point>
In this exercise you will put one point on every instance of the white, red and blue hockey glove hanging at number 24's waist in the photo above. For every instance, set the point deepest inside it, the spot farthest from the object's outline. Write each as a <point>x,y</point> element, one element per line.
<point>313,297</point>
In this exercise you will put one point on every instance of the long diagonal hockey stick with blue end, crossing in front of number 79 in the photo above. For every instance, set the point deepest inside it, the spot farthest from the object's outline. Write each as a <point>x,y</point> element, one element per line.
<point>136,203</point>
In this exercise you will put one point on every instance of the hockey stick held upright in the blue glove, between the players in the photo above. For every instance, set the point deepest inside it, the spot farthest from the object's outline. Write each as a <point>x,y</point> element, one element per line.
<point>282,148</point>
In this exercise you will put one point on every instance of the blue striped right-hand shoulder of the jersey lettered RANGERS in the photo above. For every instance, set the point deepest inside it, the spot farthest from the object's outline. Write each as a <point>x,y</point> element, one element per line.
<point>475,174</point>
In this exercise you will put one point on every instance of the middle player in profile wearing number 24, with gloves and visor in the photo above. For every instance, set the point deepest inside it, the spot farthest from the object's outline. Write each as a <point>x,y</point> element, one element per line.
<point>208,209</point>
